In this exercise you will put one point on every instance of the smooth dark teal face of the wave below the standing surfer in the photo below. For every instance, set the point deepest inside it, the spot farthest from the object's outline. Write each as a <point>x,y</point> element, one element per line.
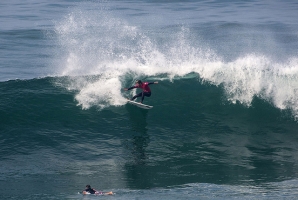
<point>189,135</point>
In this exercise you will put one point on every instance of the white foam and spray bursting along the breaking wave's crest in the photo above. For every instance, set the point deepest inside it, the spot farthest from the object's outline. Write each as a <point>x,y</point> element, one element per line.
<point>95,43</point>
